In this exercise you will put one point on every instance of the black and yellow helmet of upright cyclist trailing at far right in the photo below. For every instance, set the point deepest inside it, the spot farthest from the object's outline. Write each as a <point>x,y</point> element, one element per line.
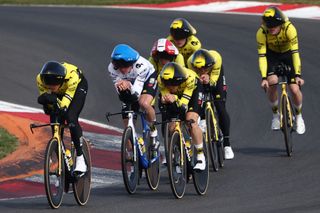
<point>273,17</point>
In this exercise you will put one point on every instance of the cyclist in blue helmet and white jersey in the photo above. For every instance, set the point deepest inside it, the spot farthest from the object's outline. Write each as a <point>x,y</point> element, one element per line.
<point>135,81</point>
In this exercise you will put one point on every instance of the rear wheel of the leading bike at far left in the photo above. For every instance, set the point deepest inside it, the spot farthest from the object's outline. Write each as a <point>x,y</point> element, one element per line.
<point>82,185</point>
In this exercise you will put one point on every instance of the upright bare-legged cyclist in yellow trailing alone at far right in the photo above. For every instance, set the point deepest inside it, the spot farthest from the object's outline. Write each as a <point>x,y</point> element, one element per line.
<point>278,42</point>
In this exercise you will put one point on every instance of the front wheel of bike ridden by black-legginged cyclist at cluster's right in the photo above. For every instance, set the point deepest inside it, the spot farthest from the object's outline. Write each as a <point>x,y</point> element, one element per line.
<point>211,140</point>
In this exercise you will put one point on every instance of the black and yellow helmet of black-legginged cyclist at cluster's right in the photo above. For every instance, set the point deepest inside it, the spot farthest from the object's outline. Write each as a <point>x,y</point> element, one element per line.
<point>202,59</point>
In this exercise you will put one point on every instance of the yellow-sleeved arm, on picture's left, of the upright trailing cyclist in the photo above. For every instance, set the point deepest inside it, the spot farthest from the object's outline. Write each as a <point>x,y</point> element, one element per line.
<point>262,50</point>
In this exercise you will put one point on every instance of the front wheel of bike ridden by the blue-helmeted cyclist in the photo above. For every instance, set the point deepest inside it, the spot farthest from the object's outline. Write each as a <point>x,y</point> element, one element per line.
<point>129,161</point>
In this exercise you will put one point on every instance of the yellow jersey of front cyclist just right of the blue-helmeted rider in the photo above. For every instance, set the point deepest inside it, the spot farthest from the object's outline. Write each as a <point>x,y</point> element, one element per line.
<point>184,91</point>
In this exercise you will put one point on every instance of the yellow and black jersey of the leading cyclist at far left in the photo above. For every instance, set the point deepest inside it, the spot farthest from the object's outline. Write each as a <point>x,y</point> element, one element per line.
<point>68,87</point>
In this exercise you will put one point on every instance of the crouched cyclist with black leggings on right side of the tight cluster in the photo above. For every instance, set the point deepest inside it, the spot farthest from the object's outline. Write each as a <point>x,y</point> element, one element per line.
<point>208,65</point>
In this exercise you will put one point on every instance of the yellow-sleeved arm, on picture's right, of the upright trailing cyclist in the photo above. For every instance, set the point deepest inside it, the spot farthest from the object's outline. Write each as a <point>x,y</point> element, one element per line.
<point>293,39</point>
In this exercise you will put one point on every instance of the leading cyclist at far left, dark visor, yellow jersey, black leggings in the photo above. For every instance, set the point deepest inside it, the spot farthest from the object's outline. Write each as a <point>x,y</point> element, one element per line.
<point>64,86</point>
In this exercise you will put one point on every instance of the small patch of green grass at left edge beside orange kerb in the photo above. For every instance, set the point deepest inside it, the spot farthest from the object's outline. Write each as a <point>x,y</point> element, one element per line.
<point>8,143</point>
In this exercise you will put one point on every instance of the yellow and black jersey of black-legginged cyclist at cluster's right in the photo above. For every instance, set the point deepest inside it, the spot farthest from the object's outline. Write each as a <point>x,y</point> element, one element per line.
<point>216,69</point>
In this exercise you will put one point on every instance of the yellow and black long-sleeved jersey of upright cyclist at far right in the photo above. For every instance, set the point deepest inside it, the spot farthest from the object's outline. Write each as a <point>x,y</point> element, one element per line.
<point>285,41</point>
